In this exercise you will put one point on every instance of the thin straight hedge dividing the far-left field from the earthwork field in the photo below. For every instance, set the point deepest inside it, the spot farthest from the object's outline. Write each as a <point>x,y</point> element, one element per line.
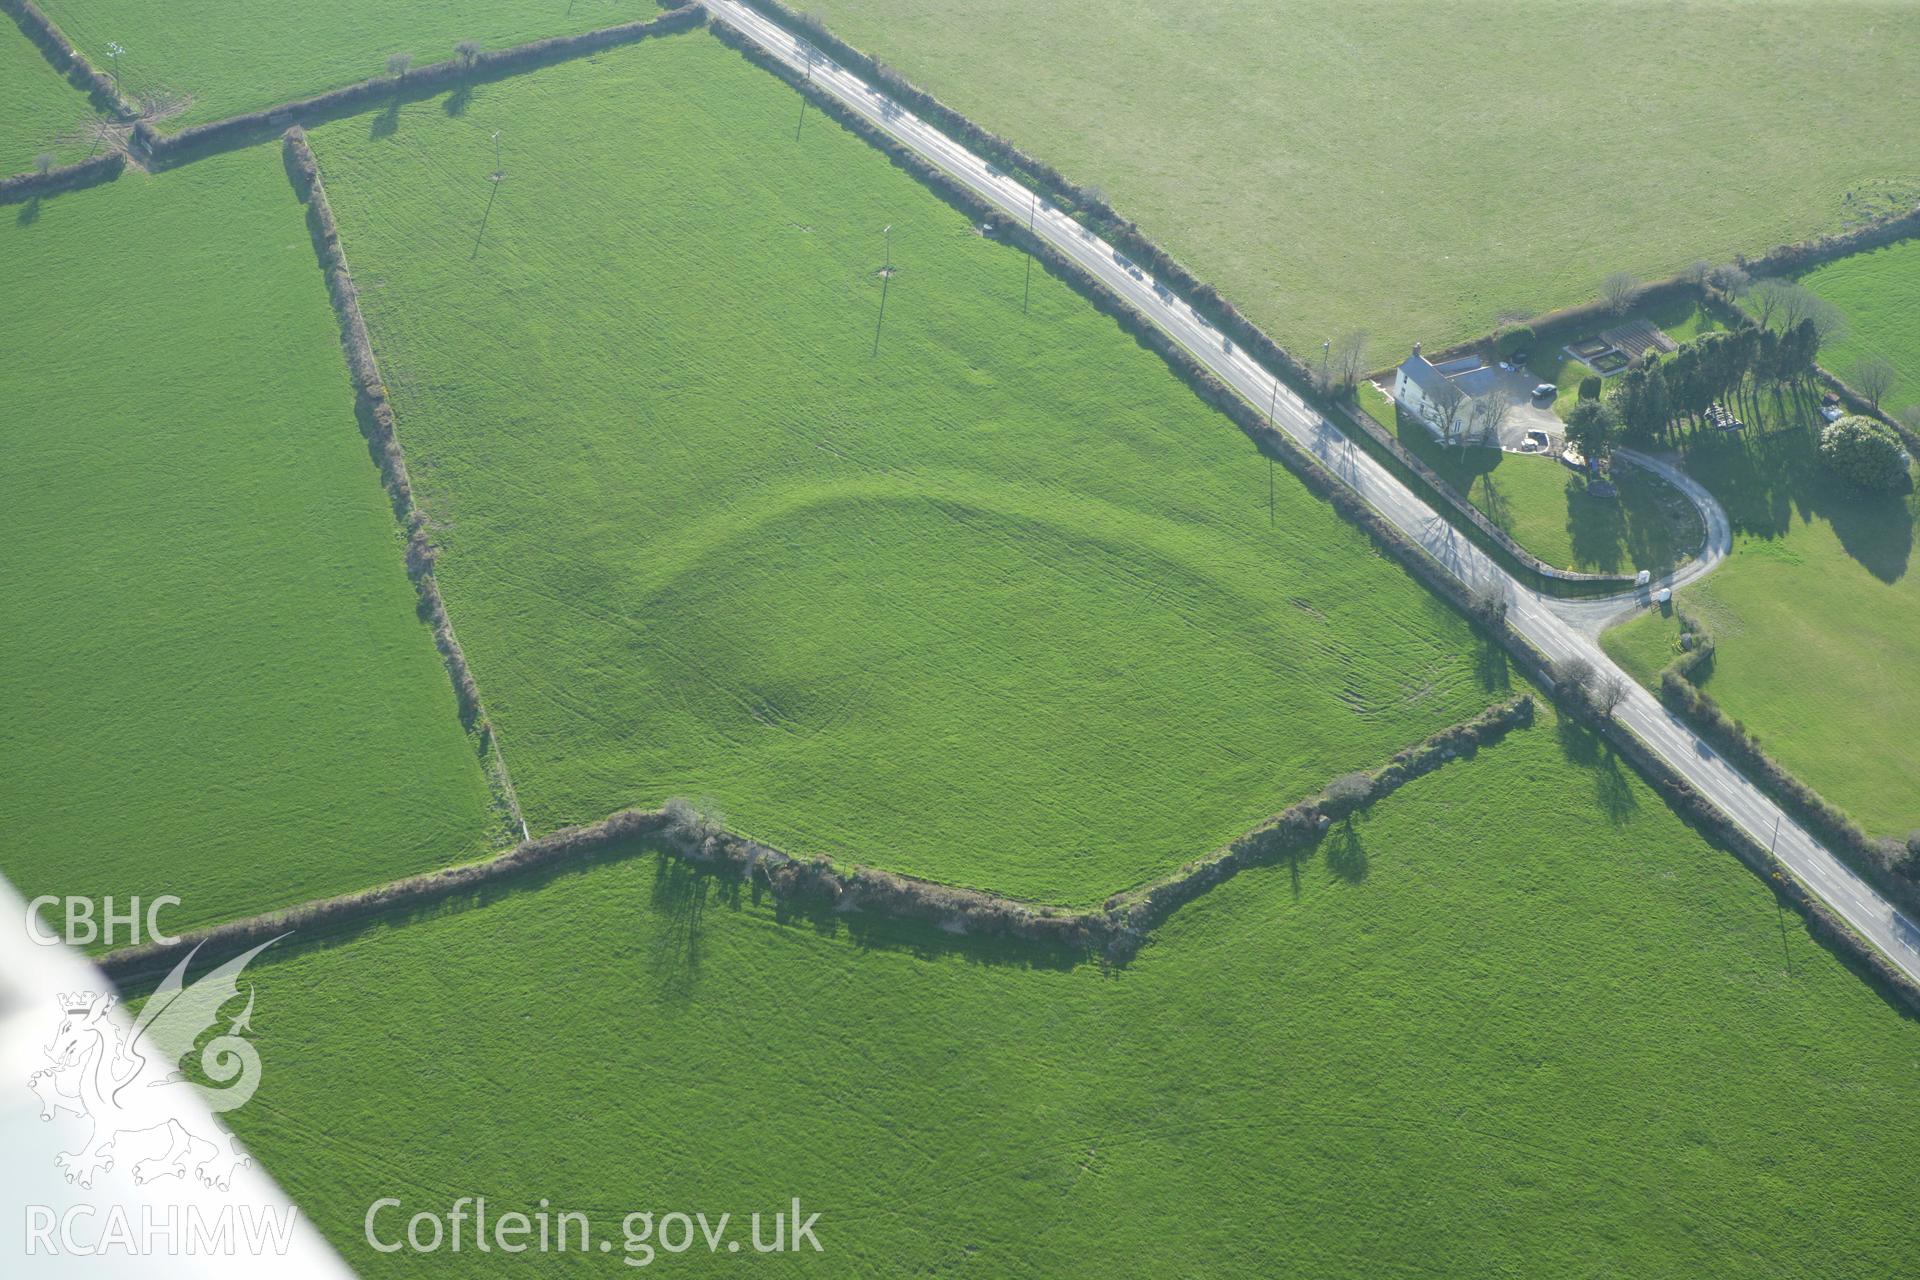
<point>377,423</point>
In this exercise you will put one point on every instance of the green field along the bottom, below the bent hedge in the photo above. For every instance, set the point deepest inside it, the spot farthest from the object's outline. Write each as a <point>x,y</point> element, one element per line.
<point>1516,1022</point>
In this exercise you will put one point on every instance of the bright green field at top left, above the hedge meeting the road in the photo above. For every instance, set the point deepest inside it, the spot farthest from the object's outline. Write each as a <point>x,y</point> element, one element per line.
<point>231,57</point>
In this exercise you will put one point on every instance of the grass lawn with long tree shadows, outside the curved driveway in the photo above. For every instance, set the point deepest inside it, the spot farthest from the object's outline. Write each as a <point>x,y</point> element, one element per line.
<point>1815,619</point>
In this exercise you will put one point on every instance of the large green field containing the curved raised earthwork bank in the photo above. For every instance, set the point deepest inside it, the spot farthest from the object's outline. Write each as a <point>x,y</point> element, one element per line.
<point>994,604</point>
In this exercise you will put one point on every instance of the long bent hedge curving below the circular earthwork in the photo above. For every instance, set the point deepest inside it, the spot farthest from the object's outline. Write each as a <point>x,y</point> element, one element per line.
<point>1113,934</point>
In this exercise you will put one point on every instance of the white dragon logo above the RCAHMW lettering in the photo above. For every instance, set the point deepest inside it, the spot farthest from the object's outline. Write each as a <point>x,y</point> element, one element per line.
<point>128,1085</point>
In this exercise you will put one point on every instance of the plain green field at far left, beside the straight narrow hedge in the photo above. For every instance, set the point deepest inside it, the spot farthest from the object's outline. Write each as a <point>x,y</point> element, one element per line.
<point>212,673</point>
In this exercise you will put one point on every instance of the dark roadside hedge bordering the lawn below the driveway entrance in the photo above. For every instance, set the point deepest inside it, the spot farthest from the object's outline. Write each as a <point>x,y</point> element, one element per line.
<point>1877,861</point>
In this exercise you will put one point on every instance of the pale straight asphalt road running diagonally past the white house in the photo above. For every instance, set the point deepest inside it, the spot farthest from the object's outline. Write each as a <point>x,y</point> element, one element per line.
<point>1558,628</point>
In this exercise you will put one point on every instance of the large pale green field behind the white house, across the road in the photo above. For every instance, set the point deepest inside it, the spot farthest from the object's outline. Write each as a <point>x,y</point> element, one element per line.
<point>1424,174</point>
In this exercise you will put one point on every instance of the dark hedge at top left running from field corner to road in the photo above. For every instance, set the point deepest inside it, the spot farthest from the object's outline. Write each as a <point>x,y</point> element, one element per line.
<point>416,83</point>
